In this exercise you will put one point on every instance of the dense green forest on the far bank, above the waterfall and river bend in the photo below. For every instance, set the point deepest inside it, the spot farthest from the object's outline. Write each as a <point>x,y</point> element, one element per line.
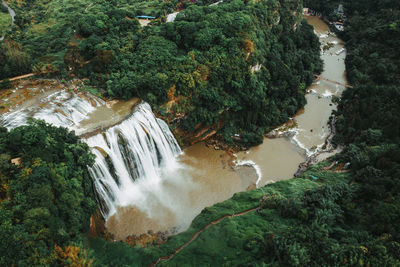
<point>239,67</point>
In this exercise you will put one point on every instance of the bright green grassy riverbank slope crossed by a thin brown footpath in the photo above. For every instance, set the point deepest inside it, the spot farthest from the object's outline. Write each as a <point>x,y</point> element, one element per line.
<point>243,224</point>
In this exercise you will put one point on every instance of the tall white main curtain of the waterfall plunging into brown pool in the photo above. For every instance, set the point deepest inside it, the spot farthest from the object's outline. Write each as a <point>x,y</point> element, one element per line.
<point>131,156</point>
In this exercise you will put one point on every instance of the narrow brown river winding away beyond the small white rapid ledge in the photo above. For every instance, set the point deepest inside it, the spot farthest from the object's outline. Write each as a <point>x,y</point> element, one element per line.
<point>279,158</point>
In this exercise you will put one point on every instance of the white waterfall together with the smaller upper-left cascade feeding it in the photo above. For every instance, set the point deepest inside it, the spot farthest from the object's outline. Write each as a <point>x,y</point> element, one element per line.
<point>131,157</point>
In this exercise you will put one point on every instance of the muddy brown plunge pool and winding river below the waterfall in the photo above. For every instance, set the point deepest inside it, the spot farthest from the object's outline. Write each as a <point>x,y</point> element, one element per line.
<point>208,178</point>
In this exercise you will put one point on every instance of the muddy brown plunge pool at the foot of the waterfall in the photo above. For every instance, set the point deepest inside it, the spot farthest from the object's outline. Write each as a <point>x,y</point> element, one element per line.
<point>206,178</point>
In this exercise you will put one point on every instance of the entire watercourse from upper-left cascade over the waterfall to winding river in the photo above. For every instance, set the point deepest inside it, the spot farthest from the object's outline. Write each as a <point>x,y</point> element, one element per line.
<point>187,181</point>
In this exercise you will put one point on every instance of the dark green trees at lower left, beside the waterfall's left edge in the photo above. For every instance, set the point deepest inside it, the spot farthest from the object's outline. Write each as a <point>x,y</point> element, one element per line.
<point>47,200</point>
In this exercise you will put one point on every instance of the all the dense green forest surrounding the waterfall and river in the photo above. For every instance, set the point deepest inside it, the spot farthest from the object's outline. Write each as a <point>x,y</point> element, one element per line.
<point>326,217</point>
